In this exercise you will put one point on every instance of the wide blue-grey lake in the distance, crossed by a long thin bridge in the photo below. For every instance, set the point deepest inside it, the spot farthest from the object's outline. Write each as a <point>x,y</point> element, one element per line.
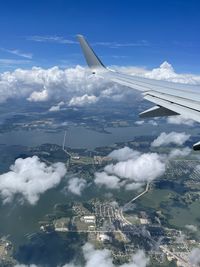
<point>80,137</point>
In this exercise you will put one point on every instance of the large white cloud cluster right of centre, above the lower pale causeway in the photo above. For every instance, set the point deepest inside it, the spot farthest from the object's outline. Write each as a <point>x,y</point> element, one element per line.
<point>132,170</point>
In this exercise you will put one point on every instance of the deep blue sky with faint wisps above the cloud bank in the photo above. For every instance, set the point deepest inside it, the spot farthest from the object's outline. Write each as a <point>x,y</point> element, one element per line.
<point>123,32</point>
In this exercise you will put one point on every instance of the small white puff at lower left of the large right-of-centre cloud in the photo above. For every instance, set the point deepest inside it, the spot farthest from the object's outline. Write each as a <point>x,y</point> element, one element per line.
<point>110,181</point>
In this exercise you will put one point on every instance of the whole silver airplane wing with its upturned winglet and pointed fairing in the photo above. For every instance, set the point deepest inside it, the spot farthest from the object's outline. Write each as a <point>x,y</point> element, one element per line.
<point>169,98</point>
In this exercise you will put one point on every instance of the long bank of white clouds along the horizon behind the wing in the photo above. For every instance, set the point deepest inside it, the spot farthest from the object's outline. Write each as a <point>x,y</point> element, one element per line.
<point>38,84</point>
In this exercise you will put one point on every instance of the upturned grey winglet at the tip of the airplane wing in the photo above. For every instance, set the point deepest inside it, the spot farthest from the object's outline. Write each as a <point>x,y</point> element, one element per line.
<point>92,59</point>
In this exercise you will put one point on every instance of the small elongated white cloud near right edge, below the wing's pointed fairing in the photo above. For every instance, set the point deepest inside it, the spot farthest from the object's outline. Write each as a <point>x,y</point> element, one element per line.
<point>171,138</point>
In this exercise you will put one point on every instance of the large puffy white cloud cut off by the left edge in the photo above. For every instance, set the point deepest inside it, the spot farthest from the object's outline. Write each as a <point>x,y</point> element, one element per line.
<point>30,178</point>
